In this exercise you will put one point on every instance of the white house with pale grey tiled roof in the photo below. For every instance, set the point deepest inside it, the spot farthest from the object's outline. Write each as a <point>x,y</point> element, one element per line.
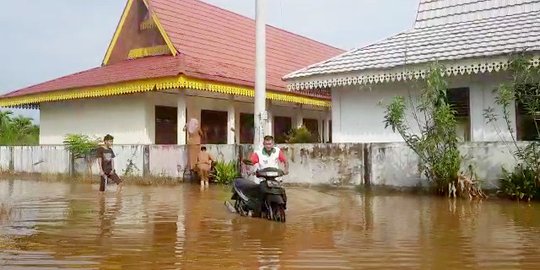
<point>471,38</point>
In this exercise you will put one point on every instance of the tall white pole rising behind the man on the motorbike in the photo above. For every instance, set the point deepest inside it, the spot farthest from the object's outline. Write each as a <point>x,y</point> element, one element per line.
<point>260,73</point>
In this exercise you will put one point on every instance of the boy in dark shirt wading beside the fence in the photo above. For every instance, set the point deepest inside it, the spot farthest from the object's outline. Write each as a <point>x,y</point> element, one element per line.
<point>105,159</point>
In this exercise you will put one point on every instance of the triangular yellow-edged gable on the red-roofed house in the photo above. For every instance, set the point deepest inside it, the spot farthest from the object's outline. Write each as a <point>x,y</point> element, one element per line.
<point>138,35</point>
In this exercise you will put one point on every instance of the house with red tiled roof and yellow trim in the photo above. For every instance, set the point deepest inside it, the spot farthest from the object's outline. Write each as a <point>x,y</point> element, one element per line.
<point>173,60</point>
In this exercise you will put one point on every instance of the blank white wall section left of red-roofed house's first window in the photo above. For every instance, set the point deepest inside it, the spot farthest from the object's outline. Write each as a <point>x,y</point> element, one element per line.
<point>121,116</point>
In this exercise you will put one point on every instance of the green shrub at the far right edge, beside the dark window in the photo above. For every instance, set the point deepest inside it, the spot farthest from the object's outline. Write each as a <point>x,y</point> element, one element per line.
<point>523,89</point>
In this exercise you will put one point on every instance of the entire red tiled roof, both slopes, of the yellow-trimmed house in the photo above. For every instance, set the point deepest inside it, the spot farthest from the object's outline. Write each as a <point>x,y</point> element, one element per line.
<point>213,44</point>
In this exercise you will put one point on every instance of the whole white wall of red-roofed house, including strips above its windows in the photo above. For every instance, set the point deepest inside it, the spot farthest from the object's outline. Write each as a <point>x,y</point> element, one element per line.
<point>131,118</point>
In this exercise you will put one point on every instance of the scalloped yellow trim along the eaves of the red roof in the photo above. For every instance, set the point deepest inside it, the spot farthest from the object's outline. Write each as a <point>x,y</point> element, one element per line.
<point>138,86</point>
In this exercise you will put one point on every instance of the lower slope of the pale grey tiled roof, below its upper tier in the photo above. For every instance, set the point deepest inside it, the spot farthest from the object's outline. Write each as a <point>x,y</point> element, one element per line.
<point>456,41</point>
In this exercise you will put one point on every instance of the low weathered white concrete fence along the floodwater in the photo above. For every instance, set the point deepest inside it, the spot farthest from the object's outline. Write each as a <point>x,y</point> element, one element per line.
<point>391,164</point>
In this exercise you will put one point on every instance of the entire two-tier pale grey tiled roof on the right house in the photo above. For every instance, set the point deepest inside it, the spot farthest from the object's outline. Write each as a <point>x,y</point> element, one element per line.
<point>445,30</point>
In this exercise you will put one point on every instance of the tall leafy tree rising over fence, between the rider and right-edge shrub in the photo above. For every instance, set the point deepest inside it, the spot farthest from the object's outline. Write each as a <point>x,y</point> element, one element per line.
<point>436,143</point>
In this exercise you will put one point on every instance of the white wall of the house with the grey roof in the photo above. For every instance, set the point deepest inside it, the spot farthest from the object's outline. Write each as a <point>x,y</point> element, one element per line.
<point>358,116</point>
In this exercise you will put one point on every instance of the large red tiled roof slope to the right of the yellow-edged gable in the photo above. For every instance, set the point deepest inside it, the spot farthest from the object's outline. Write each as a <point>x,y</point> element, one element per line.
<point>217,41</point>
